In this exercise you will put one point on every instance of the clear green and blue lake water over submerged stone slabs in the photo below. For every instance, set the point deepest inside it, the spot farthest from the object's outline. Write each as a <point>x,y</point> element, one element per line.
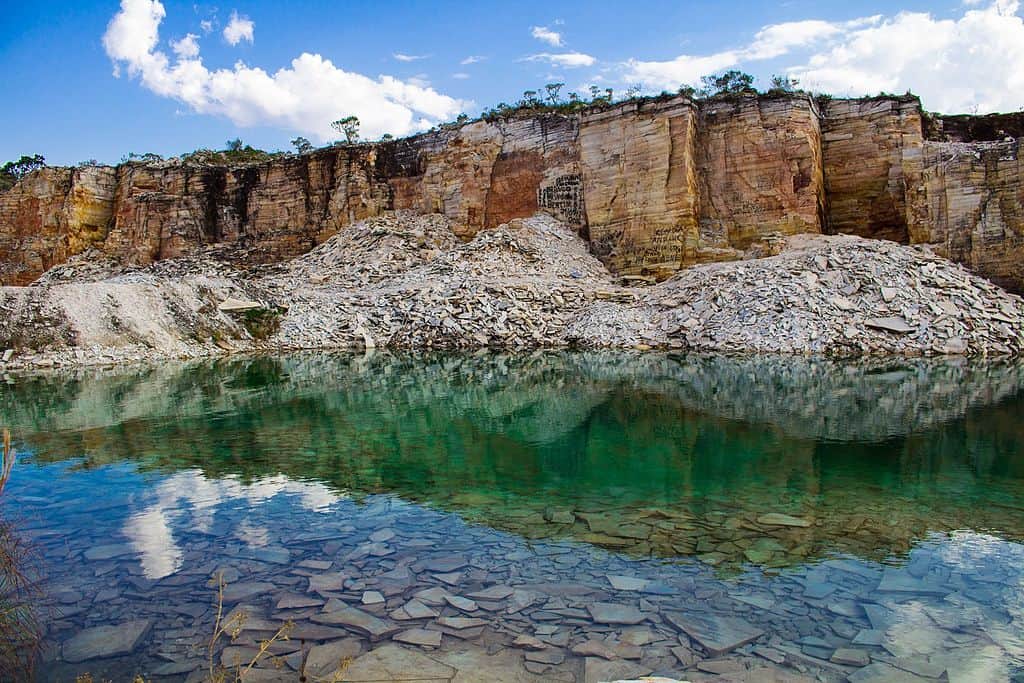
<point>533,518</point>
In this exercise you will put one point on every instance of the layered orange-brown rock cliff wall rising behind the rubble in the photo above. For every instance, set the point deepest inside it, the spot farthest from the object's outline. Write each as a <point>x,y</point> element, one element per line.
<point>655,186</point>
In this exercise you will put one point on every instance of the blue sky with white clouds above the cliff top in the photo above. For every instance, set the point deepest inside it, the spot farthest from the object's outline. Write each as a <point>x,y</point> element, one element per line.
<point>64,101</point>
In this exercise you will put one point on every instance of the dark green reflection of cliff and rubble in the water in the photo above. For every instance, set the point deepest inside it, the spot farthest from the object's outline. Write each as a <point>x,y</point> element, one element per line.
<point>647,454</point>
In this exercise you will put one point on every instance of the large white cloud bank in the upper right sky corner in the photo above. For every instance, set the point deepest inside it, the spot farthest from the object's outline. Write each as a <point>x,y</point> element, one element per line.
<point>973,62</point>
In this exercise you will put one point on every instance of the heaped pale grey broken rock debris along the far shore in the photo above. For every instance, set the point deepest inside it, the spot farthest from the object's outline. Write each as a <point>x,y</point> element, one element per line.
<point>406,281</point>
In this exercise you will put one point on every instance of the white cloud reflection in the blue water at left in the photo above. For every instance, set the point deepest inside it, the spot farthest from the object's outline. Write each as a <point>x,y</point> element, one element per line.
<point>189,500</point>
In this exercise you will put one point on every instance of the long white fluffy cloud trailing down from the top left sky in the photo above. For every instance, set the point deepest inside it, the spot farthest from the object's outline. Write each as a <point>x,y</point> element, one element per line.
<point>305,97</point>
